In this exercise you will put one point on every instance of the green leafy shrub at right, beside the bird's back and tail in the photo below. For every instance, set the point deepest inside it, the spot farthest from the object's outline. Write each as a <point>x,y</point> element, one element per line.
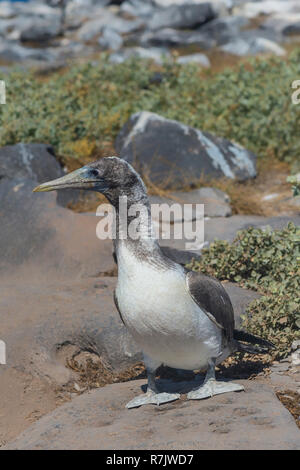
<point>269,262</point>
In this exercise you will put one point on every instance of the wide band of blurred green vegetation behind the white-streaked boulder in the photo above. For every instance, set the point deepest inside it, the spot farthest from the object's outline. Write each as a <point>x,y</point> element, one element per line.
<point>81,111</point>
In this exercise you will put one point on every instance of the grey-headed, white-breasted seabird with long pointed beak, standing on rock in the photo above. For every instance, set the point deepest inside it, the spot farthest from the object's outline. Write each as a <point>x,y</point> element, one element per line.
<point>179,318</point>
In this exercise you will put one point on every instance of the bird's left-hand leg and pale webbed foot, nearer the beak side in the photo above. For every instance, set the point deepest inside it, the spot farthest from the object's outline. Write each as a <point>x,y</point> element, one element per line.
<point>152,396</point>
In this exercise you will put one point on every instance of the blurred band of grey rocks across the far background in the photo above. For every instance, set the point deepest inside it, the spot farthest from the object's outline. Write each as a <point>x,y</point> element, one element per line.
<point>47,34</point>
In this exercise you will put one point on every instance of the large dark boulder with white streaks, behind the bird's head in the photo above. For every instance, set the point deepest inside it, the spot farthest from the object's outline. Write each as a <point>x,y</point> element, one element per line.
<point>172,154</point>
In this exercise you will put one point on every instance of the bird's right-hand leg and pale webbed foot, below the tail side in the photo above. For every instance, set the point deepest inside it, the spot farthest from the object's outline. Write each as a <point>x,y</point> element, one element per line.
<point>211,386</point>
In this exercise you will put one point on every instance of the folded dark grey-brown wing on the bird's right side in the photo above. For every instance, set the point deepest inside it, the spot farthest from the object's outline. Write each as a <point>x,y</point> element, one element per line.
<point>213,299</point>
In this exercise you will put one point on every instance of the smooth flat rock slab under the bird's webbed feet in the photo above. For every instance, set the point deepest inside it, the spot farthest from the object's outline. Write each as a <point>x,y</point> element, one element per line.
<point>254,419</point>
